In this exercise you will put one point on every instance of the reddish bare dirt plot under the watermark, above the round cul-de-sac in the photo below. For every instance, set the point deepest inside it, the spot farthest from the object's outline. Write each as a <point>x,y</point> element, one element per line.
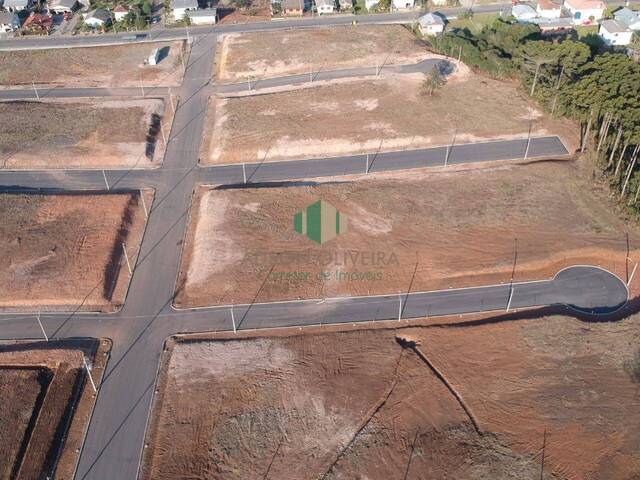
<point>443,229</point>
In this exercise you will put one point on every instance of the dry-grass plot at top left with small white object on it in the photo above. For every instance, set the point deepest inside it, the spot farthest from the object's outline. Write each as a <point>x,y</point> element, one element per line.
<point>112,66</point>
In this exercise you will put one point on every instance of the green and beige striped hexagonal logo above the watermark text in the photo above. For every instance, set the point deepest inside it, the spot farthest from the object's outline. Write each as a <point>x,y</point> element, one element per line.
<point>320,222</point>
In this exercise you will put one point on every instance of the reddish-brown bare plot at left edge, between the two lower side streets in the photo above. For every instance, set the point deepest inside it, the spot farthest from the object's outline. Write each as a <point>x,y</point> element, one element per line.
<point>65,251</point>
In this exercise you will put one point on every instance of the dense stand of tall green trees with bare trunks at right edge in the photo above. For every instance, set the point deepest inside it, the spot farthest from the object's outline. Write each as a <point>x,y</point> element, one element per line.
<point>569,77</point>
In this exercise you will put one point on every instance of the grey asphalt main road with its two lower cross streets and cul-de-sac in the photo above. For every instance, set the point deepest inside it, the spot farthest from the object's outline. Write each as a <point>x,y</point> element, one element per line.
<point>114,441</point>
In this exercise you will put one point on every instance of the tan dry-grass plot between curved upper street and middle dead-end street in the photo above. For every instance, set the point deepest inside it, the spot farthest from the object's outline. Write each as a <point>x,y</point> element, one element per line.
<point>391,113</point>
